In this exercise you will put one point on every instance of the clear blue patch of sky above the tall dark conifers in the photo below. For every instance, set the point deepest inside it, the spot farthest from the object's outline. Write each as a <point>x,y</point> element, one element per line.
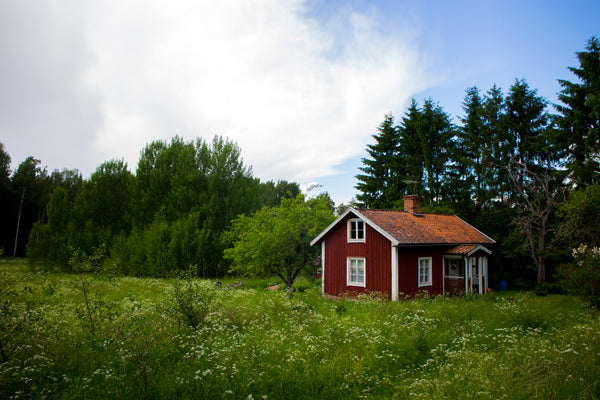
<point>482,43</point>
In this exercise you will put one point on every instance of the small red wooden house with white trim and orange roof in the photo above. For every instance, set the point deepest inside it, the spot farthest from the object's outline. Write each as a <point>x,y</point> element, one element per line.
<point>402,253</point>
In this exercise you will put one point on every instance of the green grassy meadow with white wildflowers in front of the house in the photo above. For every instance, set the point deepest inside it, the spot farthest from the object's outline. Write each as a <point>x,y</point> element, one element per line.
<point>70,336</point>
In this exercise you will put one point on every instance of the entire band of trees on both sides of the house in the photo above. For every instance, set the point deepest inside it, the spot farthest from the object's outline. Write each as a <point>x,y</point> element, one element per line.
<point>526,177</point>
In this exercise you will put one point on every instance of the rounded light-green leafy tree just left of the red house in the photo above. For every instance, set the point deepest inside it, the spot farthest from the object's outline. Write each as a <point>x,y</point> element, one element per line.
<point>276,240</point>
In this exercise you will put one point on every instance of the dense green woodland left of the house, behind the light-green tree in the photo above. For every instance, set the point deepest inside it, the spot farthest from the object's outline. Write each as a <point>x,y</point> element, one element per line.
<point>170,214</point>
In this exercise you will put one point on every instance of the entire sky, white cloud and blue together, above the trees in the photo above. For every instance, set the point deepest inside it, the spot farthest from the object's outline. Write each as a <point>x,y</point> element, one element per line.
<point>301,85</point>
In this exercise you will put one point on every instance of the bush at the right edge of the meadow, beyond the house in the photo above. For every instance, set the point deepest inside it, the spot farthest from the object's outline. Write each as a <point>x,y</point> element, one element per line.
<point>582,277</point>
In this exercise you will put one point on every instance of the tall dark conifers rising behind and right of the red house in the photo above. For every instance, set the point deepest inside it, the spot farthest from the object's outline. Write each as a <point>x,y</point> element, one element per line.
<point>522,174</point>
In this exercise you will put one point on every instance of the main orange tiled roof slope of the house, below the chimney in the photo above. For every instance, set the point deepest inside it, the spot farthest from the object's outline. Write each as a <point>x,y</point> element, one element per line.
<point>408,228</point>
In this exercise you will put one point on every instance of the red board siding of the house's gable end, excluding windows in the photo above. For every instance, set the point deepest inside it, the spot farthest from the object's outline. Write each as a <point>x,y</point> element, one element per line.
<point>377,253</point>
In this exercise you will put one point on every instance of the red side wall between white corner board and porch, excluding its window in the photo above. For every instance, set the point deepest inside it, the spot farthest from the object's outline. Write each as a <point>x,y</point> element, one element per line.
<point>408,270</point>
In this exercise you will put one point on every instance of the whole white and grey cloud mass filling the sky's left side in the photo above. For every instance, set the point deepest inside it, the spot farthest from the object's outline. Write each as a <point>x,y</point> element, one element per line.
<point>87,82</point>
